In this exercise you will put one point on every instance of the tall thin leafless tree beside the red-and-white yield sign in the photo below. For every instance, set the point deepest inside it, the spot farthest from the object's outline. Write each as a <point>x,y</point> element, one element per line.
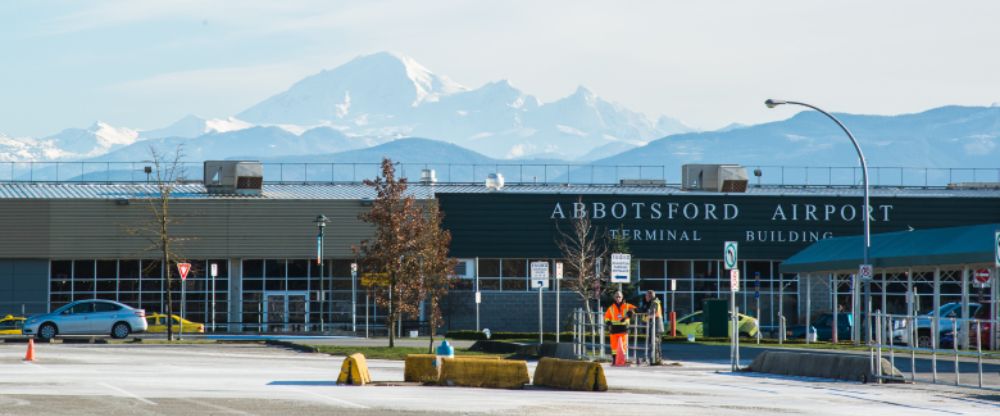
<point>167,170</point>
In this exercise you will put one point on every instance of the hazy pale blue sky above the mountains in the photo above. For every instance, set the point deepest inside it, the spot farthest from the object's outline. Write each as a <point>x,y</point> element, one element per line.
<point>708,63</point>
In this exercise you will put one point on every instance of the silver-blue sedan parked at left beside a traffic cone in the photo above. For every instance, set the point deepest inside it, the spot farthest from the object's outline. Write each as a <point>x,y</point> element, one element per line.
<point>87,317</point>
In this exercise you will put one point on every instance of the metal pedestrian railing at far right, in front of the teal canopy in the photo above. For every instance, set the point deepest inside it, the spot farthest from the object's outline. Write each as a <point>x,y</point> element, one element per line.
<point>954,341</point>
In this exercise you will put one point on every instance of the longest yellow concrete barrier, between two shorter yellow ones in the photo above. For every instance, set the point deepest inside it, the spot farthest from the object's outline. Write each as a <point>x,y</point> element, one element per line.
<point>484,372</point>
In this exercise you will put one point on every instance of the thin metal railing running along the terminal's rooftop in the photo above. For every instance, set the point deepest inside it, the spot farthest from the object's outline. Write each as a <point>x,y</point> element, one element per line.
<point>514,173</point>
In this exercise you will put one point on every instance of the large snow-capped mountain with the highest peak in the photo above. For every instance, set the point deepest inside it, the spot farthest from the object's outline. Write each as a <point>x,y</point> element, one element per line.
<point>388,95</point>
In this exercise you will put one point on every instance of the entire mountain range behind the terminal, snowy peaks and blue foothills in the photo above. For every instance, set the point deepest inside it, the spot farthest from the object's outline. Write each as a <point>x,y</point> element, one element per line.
<point>380,104</point>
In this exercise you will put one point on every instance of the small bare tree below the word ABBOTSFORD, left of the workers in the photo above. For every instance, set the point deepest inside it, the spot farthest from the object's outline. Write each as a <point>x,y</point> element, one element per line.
<point>581,246</point>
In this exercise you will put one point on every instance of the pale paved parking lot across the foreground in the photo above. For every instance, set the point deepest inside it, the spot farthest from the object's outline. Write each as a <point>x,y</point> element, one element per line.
<point>254,379</point>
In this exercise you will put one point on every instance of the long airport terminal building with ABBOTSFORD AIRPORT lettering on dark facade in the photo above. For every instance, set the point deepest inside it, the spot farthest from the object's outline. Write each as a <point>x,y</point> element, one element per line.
<point>67,241</point>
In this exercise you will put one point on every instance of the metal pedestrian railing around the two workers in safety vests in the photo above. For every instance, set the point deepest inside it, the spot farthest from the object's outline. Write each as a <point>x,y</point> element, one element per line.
<point>590,342</point>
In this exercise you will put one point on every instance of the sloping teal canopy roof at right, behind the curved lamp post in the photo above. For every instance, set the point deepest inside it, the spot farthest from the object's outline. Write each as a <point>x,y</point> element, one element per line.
<point>932,247</point>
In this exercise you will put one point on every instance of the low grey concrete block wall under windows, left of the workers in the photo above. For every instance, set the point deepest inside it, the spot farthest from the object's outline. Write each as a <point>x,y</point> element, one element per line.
<point>508,311</point>
